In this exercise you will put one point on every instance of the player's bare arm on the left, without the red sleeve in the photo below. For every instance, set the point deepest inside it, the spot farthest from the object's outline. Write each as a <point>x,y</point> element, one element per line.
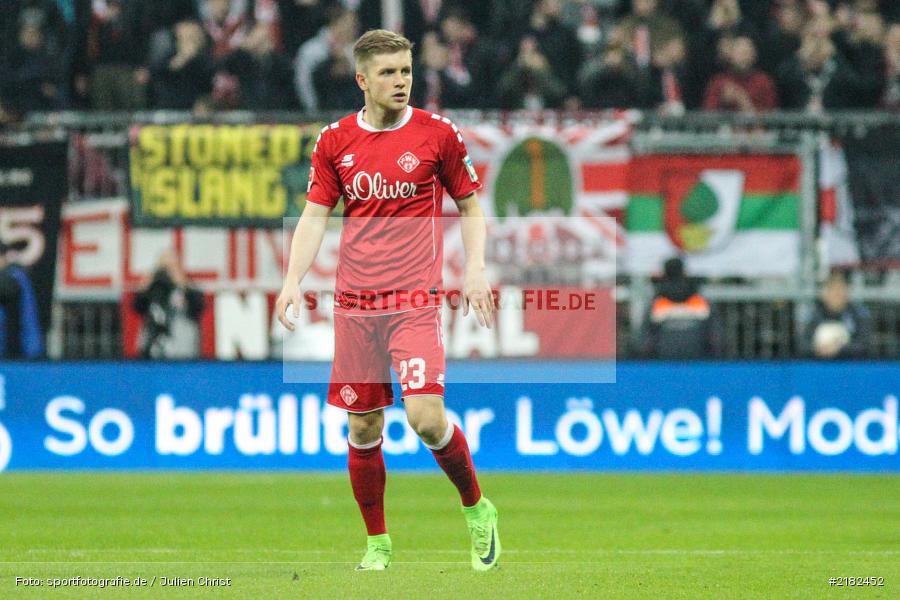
<point>304,246</point>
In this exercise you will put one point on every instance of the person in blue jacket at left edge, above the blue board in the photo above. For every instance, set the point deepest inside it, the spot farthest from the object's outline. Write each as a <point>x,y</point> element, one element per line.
<point>20,329</point>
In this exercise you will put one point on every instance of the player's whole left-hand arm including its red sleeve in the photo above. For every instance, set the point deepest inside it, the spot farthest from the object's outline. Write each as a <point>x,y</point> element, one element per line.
<point>322,195</point>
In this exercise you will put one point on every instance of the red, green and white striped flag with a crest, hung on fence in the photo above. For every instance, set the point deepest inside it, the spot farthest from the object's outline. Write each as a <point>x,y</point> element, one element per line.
<point>727,216</point>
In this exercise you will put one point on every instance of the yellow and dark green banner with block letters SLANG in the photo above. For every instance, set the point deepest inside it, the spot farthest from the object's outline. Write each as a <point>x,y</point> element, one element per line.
<point>235,175</point>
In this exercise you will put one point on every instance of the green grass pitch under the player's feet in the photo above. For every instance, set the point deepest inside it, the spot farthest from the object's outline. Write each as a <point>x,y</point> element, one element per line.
<point>298,535</point>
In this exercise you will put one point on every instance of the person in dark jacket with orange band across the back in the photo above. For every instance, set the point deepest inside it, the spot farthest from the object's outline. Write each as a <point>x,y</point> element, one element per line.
<point>678,324</point>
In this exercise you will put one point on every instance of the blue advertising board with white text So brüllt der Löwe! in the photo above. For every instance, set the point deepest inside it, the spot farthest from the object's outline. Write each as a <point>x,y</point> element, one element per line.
<point>656,416</point>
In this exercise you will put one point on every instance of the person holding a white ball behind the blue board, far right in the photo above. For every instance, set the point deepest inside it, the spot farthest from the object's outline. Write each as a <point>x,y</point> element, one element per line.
<point>838,328</point>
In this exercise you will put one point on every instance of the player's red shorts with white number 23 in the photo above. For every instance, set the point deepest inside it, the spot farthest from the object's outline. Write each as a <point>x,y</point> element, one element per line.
<point>367,347</point>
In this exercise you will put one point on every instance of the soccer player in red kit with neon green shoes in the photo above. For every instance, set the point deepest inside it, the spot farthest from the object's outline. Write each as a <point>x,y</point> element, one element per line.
<point>392,164</point>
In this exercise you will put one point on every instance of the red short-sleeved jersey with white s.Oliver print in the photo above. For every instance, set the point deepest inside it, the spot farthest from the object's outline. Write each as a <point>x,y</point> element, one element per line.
<point>393,182</point>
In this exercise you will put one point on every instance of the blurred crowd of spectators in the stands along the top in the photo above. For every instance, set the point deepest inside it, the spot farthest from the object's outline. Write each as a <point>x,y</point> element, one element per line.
<point>667,55</point>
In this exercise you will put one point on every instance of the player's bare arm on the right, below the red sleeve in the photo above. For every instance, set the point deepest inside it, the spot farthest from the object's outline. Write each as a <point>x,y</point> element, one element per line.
<point>476,289</point>
